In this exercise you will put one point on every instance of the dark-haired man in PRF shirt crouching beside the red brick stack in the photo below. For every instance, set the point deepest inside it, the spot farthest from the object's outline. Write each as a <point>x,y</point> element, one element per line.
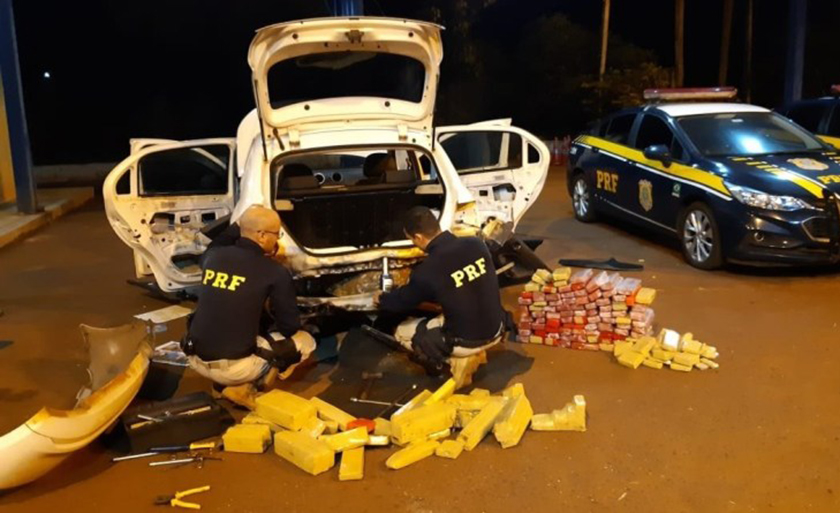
<point>459,275</point>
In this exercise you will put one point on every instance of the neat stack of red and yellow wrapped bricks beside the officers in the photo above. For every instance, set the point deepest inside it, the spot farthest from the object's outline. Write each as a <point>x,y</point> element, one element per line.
<point>584,309</point>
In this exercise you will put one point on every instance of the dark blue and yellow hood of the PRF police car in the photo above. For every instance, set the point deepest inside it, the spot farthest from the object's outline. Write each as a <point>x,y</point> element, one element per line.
<point>804,175</point>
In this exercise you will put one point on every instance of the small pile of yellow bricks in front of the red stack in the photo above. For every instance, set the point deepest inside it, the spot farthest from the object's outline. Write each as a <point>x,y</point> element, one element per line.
<point>682,353</point>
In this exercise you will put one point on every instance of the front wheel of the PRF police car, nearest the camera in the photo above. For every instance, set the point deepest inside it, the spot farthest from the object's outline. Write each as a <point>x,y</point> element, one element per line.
<point>700,237</point>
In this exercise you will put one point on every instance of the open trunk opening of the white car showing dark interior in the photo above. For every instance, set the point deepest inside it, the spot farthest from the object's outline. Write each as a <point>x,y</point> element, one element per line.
<point>353,200</point>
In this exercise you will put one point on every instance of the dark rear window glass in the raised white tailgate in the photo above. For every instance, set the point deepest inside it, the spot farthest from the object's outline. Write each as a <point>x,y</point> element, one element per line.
<point>345,74</point>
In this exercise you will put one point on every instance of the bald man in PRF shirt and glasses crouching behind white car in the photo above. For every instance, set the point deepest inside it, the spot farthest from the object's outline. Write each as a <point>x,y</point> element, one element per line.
<point>224,341</point>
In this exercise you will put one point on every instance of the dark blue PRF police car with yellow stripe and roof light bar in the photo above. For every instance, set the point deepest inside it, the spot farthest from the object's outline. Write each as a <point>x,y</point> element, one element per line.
<point>732,181</point>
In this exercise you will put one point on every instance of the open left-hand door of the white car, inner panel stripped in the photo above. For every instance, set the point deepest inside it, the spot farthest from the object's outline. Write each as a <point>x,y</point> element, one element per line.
<point>159,198</point>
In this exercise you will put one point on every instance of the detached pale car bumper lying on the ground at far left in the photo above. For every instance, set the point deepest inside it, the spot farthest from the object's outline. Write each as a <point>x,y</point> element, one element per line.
<point>119,362</point>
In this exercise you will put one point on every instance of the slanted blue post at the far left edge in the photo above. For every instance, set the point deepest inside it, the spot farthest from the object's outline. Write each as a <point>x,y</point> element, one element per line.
<point>15,112</point>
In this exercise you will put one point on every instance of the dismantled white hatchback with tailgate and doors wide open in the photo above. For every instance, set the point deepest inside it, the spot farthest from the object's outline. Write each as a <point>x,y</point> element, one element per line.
<point>341,144</point>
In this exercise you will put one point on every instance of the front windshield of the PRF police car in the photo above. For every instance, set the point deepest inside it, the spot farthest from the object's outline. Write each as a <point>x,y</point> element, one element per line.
<point>748,133</point>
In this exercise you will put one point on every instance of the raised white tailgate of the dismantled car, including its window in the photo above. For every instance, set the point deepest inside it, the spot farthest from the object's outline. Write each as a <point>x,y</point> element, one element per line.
<point>346,72</point>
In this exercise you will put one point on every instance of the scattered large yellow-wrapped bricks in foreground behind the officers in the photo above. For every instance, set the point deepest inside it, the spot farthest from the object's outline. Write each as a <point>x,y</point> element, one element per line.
<point>310,433</point>
